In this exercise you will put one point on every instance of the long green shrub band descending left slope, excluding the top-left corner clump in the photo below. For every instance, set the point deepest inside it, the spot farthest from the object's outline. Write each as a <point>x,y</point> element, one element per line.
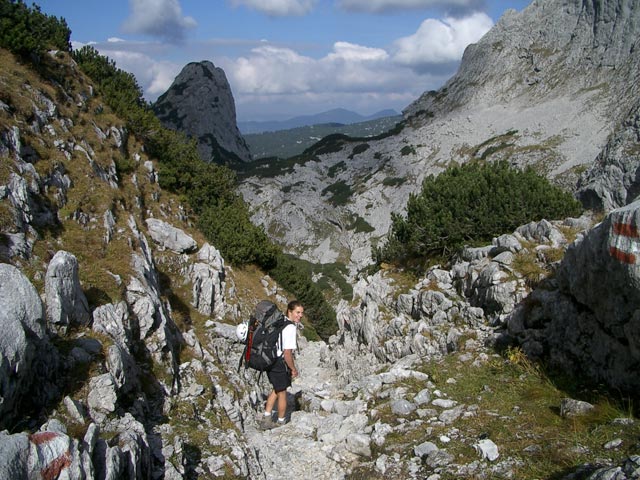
<point>208,188</point>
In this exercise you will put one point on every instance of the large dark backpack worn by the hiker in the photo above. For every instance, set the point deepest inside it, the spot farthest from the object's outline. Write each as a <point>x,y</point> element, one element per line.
<point>265,329</point>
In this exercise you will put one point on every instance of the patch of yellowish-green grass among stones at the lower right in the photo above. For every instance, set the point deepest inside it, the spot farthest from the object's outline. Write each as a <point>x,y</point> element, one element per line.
<point>517,406</point>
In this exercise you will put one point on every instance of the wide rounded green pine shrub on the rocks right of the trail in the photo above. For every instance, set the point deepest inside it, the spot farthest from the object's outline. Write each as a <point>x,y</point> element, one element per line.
<point>470,204</point>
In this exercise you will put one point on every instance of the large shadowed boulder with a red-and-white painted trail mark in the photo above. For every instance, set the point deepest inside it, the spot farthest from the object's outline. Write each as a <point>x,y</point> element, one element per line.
<point>590,323</point>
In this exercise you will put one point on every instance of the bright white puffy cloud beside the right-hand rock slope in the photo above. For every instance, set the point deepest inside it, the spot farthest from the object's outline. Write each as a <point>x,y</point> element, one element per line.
<point>440,42</point>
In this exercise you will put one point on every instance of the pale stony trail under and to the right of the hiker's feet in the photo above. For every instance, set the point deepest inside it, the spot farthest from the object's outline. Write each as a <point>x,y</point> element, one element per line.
<point>334,426</point>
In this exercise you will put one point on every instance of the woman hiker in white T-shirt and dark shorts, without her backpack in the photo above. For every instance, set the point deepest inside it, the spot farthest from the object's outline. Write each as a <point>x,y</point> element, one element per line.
<point>283,370</point>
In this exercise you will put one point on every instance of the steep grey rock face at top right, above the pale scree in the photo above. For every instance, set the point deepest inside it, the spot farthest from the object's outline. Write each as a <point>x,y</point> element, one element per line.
<point>549,49</point>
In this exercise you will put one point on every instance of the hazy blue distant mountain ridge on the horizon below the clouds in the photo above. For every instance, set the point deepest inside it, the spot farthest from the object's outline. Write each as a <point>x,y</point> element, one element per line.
<point>336,115</point>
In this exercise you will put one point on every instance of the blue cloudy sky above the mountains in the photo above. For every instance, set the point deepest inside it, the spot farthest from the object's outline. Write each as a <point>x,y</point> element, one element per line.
<point>288,57</point>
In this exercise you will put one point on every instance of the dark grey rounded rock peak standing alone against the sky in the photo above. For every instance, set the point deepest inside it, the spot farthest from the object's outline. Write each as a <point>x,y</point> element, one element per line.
<point>200,104</point>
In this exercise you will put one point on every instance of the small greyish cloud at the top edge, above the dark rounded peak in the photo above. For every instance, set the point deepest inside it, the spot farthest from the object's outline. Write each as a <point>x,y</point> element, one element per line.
<point>158,18</point>
